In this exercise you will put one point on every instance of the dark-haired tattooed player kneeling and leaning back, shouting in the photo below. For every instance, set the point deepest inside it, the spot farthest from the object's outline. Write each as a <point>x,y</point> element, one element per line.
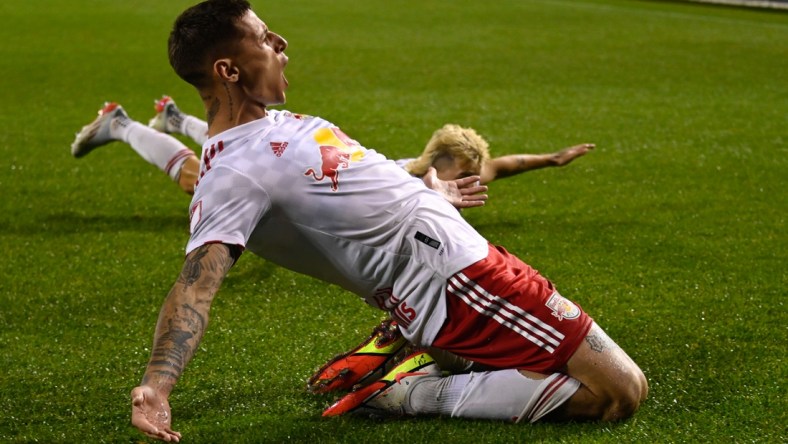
<point>299,192</point>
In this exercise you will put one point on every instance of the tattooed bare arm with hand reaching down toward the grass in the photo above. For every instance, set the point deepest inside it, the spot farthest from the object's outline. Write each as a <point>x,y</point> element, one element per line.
<point>182,322</point>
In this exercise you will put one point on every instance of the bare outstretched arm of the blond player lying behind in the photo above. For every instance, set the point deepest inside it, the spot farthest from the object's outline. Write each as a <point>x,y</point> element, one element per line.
<point>510,165</point>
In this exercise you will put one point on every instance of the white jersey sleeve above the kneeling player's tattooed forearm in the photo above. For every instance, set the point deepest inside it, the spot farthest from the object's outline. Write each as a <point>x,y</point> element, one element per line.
<point>229,212</point>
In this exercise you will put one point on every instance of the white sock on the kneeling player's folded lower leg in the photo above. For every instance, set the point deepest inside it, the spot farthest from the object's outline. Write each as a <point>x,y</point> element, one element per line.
<point>501,395</point>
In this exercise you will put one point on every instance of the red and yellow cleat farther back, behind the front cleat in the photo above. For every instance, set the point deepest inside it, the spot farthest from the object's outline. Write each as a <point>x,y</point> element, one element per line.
<point>364,364</point>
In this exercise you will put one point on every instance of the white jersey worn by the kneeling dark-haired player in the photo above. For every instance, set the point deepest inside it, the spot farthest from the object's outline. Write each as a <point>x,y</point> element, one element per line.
<point>298,192</point>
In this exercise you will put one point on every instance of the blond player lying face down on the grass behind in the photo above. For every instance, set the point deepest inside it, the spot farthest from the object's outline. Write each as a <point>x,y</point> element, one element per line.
<point>454,151</point>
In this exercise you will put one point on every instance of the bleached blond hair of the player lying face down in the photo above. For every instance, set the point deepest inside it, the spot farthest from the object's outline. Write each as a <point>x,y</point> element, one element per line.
<point>453,141</point>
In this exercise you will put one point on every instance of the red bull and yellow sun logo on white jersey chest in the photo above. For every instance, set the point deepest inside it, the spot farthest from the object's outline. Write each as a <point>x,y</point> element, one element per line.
<point>337,150</point>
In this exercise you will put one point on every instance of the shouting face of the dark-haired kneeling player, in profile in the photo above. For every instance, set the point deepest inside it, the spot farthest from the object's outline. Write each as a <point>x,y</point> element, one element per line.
<point>261,61</point>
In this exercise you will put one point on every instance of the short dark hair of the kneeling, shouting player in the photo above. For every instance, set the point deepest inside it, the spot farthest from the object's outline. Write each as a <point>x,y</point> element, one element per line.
<point>198,35</point>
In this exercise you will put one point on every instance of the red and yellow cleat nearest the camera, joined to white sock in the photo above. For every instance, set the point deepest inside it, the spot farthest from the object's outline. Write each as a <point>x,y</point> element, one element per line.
<point>389,394</point>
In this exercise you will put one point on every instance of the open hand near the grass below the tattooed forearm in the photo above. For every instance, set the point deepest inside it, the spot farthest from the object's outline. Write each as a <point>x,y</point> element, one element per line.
<point>150,414</point>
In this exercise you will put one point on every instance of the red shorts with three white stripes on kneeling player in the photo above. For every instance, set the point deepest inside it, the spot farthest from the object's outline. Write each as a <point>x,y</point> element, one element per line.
<point>504,314</point>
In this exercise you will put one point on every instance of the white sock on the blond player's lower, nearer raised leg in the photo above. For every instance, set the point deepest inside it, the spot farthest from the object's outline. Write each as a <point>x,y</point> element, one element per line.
<point>162,150</point>
